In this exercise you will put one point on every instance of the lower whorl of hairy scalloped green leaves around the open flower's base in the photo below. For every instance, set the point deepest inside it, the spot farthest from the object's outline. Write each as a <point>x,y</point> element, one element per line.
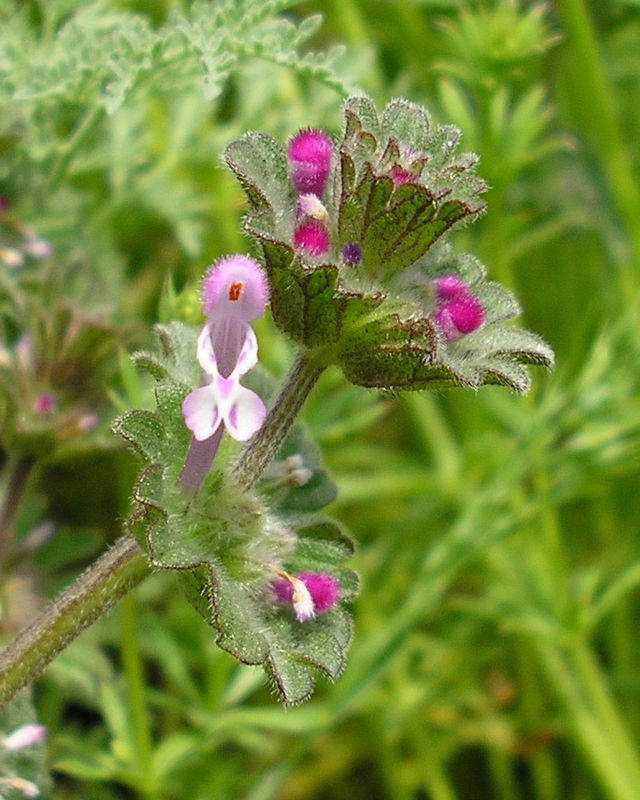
<point>225,544</point>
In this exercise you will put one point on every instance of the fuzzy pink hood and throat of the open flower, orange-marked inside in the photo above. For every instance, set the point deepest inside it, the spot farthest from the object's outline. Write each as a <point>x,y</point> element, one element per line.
<point>234,293</point>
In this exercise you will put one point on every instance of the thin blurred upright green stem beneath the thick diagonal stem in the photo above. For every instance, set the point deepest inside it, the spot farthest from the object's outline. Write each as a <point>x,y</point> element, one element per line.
<point>134,674</point>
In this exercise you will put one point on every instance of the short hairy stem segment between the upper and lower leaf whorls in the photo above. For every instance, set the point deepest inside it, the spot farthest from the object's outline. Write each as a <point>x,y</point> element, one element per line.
<point>301,379</point>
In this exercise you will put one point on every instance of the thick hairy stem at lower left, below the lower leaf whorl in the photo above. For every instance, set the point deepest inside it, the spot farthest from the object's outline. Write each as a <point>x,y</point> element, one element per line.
<point>93,593</point>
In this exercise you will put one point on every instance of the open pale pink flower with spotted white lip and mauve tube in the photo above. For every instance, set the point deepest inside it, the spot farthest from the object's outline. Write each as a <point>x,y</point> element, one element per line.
<point>234,293</point>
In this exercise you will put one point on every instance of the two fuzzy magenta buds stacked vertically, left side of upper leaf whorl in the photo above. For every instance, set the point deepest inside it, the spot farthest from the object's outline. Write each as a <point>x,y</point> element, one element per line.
<point>309,157</point>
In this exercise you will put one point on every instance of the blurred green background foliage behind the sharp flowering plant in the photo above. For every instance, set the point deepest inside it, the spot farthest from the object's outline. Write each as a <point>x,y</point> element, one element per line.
<point>495,653</point>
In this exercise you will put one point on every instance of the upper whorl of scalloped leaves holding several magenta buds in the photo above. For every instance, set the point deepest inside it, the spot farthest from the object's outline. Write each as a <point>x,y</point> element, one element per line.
<point>353,238</point>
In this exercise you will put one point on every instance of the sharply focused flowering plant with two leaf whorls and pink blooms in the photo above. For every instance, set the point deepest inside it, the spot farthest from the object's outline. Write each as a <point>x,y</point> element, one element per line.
<point>355,268</point>
